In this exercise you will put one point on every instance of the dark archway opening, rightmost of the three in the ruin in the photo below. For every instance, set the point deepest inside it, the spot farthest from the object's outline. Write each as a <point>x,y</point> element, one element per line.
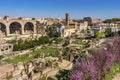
<point>29,28</point>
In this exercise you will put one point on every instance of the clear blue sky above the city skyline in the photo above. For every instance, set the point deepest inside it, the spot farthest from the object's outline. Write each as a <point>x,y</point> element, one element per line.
<point>57,8</point>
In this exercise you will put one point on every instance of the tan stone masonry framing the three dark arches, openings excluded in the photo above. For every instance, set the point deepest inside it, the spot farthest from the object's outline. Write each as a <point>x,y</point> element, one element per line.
<point>6,23</point>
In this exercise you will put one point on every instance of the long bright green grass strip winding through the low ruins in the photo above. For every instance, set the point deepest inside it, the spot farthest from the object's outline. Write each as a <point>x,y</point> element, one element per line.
<point>25,58</point>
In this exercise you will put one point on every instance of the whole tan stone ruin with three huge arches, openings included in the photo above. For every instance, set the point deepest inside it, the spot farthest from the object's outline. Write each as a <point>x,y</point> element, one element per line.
<point>17,26</point>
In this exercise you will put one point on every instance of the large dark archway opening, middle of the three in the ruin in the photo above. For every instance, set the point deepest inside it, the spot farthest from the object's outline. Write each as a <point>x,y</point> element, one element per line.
<point>15,28</point>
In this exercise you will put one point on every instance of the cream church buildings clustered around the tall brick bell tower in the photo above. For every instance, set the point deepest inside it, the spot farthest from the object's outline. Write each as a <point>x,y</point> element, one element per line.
<point>69,27</point>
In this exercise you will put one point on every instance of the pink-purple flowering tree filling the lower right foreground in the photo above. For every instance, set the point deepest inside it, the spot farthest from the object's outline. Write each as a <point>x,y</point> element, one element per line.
<point>97,66</point>
